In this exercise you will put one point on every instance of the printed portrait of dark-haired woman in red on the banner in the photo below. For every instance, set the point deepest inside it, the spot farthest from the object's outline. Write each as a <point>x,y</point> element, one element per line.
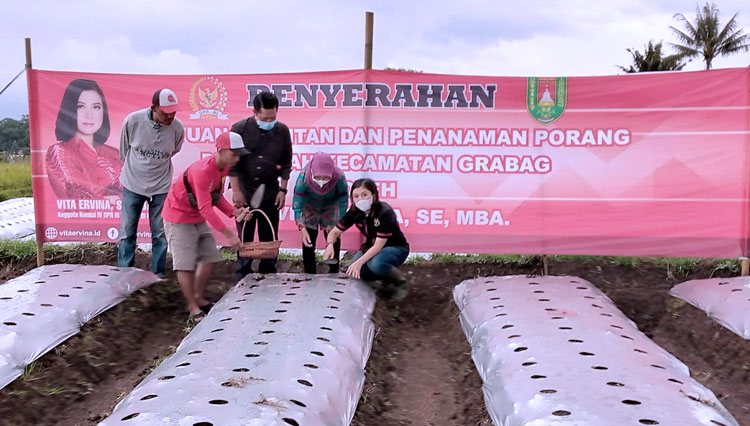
<point>80,165</point>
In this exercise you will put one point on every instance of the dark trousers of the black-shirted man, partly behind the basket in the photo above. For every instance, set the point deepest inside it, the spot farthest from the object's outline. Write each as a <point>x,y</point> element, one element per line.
<point>267,266</point>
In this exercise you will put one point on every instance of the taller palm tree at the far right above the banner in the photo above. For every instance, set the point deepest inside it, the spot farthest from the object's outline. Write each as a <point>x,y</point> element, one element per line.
<point>705,37</point>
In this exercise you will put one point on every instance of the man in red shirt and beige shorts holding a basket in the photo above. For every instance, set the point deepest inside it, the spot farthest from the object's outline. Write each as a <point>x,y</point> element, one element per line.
<point>188,213</point>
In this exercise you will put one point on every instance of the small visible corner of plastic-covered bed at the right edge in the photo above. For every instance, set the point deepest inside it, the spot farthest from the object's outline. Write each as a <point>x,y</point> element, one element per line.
<point>726,300</point>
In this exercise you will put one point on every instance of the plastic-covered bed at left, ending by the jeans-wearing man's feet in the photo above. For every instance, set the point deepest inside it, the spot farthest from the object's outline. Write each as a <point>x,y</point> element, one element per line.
<point>47,305</point>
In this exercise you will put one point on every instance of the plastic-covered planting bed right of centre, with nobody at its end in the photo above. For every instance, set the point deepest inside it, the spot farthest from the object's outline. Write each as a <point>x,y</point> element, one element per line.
<point>557,351</point>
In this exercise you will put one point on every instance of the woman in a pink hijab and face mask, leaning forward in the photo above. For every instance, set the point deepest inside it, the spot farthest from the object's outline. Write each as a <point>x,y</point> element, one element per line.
<point>320,201</point>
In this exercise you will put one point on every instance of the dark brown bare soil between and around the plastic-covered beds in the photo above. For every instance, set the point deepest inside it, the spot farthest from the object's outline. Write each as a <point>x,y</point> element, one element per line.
<point>420,371</point>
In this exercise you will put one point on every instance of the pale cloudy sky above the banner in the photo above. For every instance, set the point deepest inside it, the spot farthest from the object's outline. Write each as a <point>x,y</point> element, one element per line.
<point>493,38</point>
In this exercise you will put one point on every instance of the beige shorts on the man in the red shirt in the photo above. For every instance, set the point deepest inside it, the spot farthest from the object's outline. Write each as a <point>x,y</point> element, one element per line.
<point>191,244</point>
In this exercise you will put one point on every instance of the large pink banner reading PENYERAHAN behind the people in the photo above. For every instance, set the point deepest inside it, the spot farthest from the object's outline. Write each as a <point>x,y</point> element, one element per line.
<point>640,164</point>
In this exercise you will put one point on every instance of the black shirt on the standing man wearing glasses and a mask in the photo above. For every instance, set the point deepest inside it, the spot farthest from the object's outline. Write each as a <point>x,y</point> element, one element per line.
<point>270,157</point>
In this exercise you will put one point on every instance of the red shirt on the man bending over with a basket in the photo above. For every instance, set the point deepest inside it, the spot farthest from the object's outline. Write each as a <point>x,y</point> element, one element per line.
<point>203,176</point>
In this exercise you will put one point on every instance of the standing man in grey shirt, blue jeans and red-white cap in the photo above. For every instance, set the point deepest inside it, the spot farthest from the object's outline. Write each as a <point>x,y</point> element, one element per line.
<point>150,138</point>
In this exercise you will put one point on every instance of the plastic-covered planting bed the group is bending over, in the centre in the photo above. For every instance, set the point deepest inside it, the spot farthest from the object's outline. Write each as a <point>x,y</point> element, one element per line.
<point>284,350</point>
